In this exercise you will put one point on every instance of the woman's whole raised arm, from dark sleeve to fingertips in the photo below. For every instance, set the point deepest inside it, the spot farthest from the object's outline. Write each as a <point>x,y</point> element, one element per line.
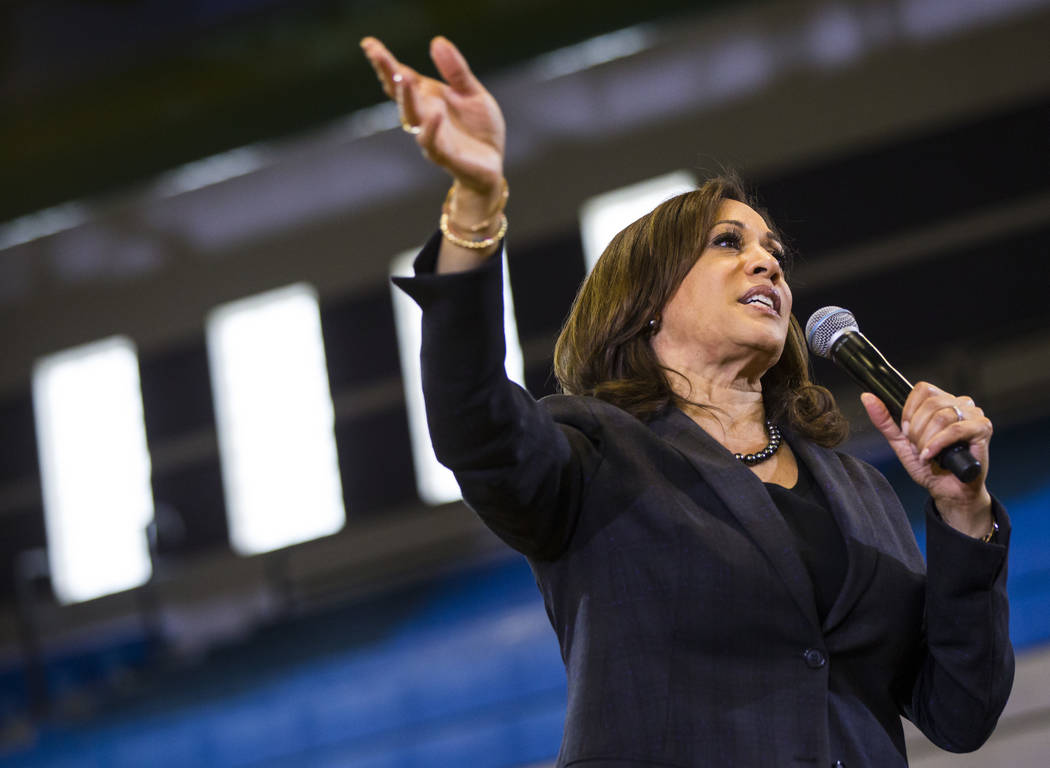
<point>524,474</point>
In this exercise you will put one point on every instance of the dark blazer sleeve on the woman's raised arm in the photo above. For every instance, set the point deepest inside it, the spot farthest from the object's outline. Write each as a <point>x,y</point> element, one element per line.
<point>524,474</point>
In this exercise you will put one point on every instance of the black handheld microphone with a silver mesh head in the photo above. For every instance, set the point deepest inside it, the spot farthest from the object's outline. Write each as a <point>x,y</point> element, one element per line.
<point>833,333</point>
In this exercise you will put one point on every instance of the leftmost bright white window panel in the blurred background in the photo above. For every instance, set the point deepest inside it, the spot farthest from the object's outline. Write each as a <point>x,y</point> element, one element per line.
<point>95,469</point>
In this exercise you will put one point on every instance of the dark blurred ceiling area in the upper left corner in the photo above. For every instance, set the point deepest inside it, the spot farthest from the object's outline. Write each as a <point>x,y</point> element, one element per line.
<point>101,94</point>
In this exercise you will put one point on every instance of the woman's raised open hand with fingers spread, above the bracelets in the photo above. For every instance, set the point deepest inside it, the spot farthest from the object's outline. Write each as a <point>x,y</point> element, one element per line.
<point>456,121</point>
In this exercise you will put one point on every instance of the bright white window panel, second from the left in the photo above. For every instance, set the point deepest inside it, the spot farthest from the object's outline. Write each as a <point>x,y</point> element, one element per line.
<point>276,420</point>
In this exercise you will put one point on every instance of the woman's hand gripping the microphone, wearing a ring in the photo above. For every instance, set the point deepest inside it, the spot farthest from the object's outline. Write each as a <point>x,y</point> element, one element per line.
<point>934,420</point>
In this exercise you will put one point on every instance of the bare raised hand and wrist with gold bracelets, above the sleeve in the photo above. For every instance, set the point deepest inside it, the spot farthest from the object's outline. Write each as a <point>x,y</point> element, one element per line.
<point>460,129</point>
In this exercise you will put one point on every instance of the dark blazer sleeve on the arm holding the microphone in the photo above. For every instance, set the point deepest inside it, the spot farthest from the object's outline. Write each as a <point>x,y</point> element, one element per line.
<point>967,671</point>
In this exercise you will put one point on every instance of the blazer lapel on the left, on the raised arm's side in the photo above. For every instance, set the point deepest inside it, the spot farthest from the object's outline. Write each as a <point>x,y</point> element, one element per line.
<point>747,499</point>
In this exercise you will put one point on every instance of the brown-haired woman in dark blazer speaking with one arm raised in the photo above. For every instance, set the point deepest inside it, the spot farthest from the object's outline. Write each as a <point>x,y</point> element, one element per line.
<point>727,590</point>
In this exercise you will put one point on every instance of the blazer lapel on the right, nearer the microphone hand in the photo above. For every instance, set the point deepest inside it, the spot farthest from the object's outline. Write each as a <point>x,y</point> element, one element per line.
<point>855,524</point>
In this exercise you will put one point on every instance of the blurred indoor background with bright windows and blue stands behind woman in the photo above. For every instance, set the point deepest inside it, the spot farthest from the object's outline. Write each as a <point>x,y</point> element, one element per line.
<point>167,165</point>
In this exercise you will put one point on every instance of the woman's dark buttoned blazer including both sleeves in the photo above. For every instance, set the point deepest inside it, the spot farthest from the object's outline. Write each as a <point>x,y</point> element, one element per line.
<point>686,618</point>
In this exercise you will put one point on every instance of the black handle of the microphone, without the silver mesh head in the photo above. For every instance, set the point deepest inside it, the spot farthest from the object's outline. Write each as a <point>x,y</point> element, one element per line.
<point>867,366</point>
